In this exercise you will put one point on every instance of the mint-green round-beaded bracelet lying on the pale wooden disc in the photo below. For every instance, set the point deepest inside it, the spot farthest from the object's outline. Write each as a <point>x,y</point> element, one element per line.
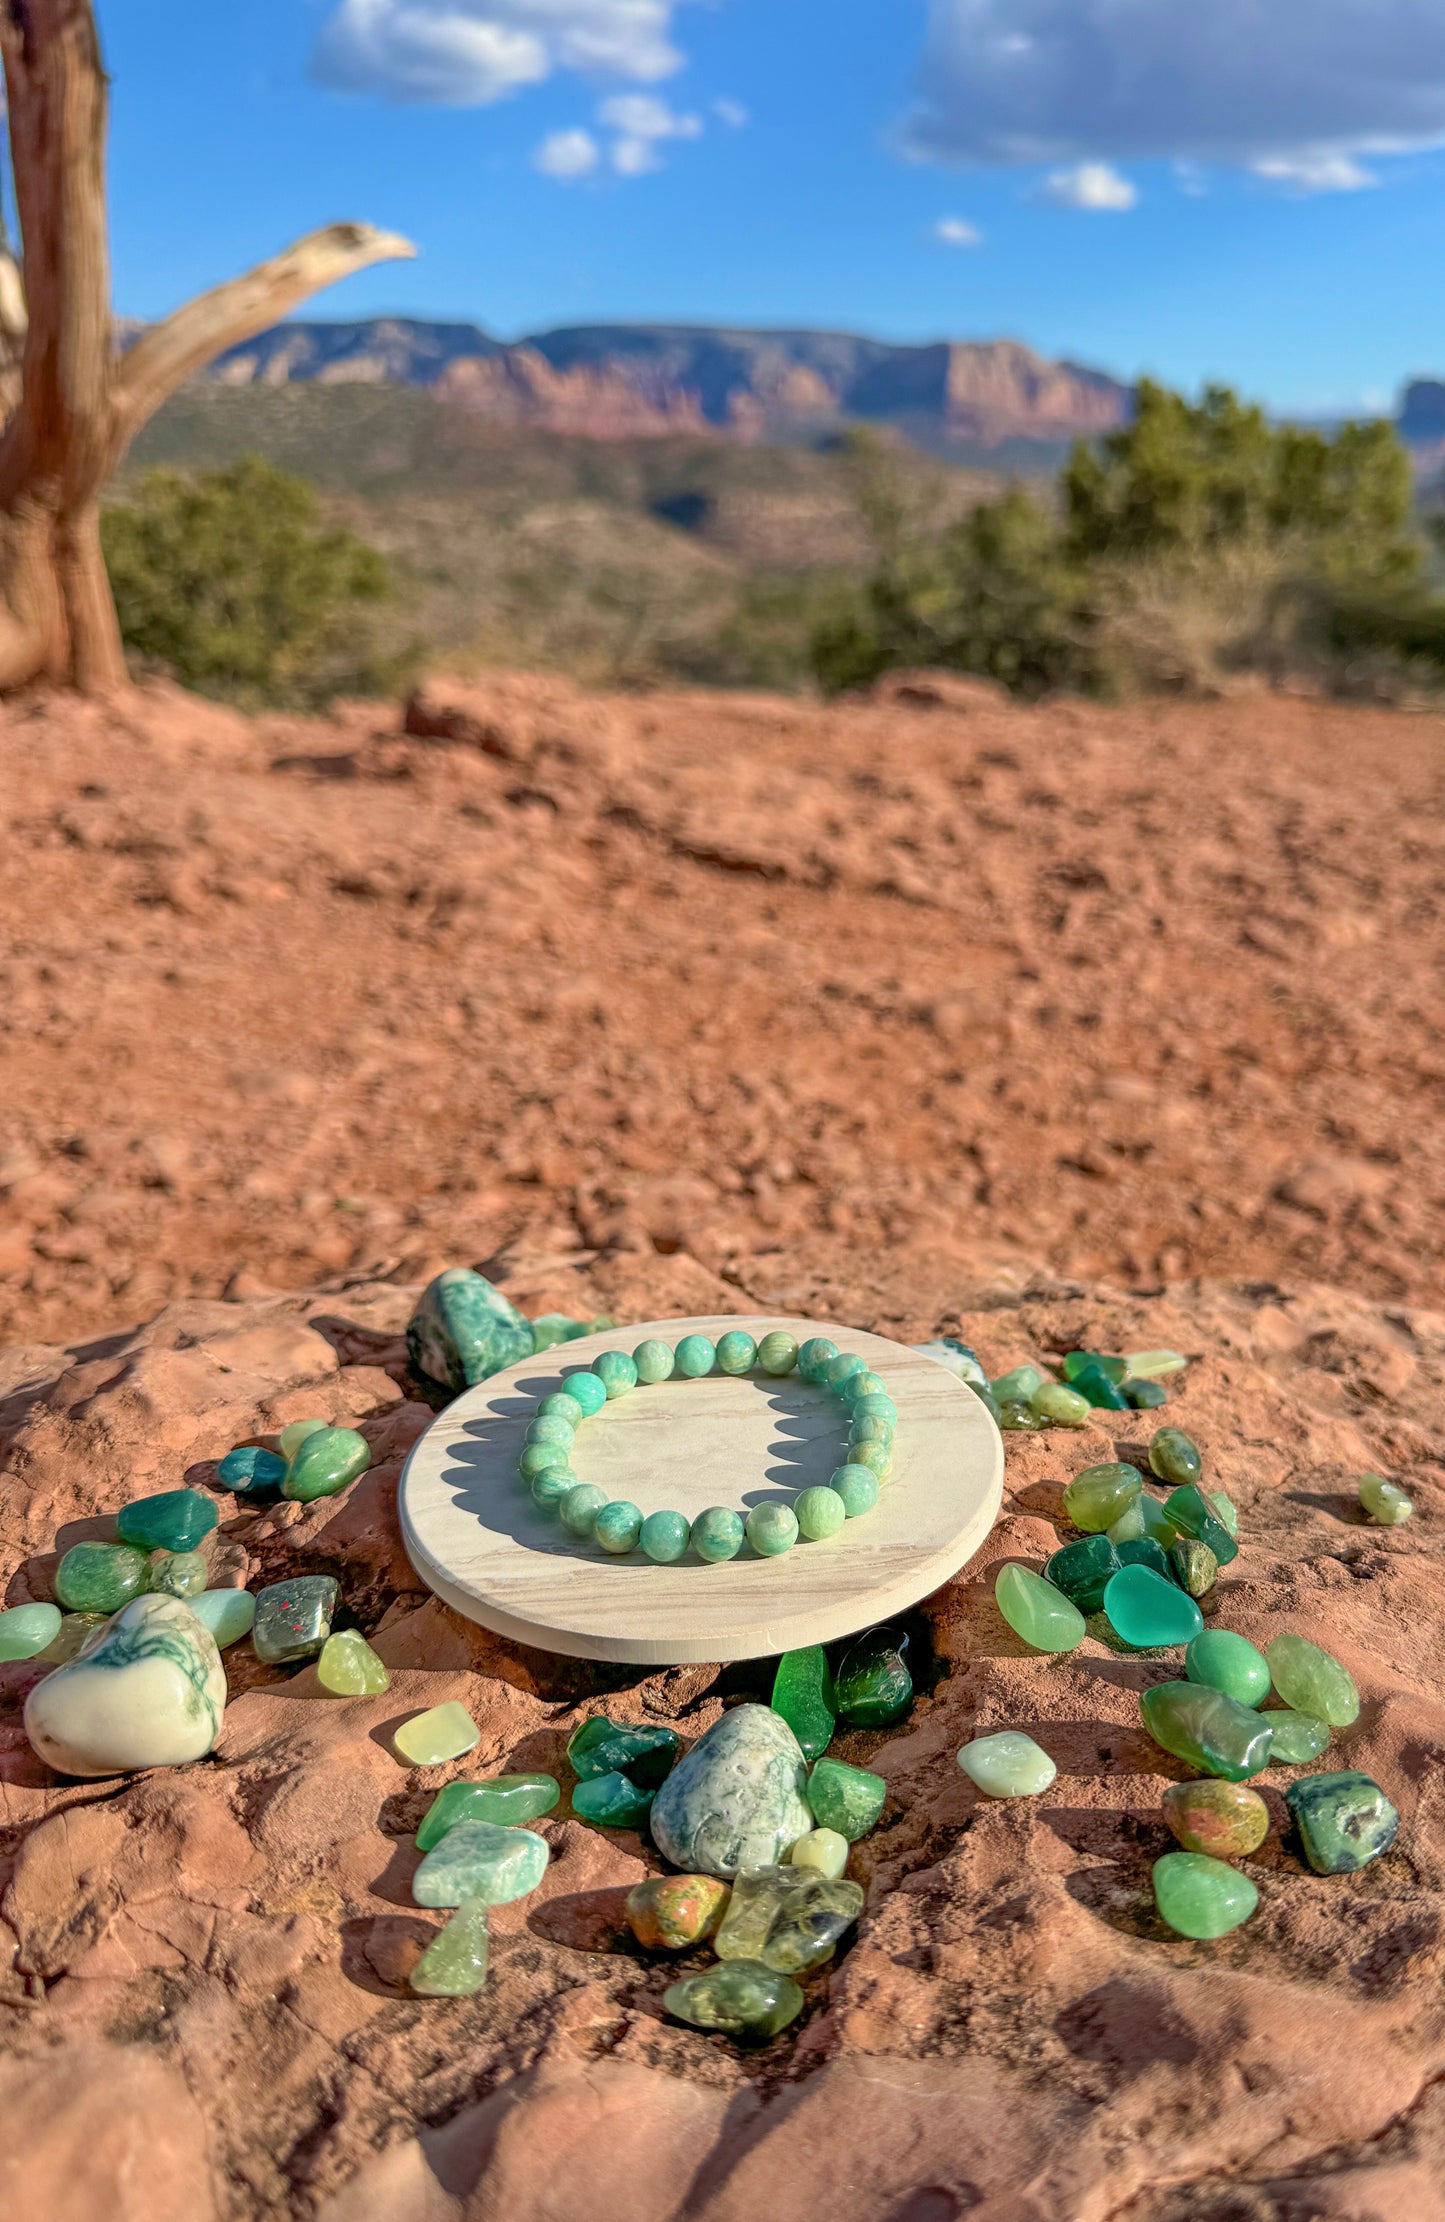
<point>717,1534</point>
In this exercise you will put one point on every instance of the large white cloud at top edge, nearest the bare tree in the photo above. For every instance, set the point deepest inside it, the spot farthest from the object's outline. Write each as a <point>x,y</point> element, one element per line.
<point>475,52</point>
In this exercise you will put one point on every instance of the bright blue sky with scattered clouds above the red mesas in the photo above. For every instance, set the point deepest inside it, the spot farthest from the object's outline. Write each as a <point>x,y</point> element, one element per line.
<point>1246,190</point>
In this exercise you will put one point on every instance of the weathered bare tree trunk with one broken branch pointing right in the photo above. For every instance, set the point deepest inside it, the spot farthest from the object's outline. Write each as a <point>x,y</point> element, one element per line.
<point>79,406</point>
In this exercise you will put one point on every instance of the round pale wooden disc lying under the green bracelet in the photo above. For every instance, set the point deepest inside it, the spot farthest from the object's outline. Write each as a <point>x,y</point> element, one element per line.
<point>477,1539</point>
